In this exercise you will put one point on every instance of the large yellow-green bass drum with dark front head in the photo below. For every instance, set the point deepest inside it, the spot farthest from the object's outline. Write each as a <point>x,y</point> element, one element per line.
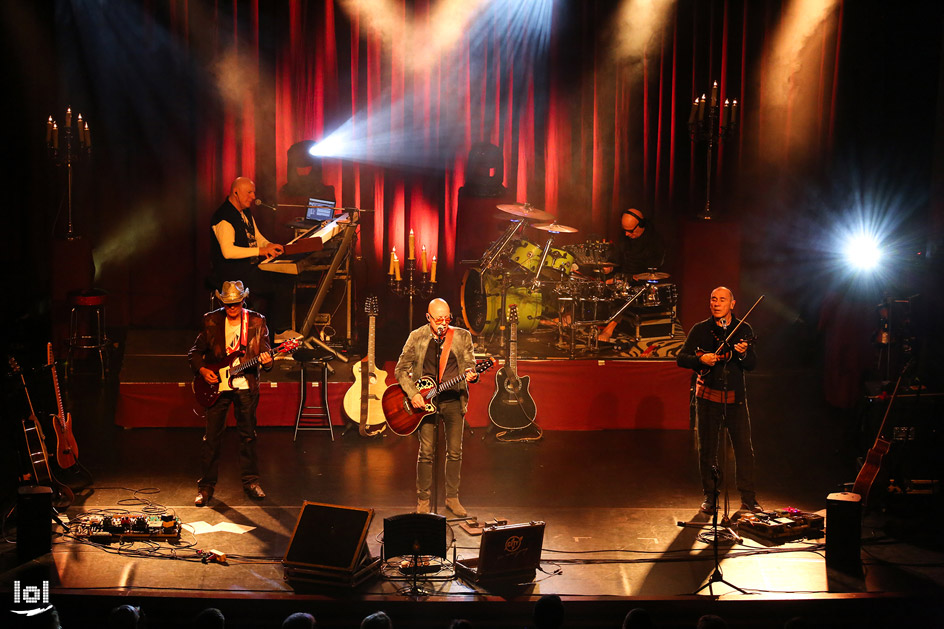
<point>480,296</point>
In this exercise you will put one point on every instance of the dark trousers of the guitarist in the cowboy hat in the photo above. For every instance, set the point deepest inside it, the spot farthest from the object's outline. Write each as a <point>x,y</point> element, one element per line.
<point>244,404</point>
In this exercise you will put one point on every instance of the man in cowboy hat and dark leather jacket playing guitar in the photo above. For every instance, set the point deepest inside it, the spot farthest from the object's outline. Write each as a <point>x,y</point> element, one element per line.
<point>227,330</point>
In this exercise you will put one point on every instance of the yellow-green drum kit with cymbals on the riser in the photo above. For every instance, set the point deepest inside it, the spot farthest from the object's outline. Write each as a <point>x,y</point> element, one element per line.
<point>572,287</point>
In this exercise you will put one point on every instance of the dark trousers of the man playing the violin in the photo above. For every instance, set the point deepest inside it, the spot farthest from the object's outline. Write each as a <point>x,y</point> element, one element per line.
<point>738,426</point>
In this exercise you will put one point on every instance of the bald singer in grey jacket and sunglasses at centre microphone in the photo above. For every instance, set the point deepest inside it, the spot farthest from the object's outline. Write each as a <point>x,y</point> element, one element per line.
<point>442,352</point>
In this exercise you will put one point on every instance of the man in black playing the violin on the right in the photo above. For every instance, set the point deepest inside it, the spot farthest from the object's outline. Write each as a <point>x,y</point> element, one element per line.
<point>720,397</point>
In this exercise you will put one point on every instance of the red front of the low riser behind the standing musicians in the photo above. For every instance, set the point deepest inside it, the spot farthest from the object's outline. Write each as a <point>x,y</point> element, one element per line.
<point>570,395</point>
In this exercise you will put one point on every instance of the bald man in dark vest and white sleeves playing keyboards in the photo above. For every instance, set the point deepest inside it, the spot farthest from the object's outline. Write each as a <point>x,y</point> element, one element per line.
<point>237,243</point>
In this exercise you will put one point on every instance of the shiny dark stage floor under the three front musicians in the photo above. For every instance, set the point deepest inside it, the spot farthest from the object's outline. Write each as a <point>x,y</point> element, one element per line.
<point>612,501</point>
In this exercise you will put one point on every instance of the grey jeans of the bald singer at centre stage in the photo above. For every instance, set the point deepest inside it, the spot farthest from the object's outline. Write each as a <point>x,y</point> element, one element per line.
<point>450,413</point>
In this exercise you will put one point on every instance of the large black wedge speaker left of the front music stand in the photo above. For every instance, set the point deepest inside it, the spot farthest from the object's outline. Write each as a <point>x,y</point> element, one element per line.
<point>328,537</point>
